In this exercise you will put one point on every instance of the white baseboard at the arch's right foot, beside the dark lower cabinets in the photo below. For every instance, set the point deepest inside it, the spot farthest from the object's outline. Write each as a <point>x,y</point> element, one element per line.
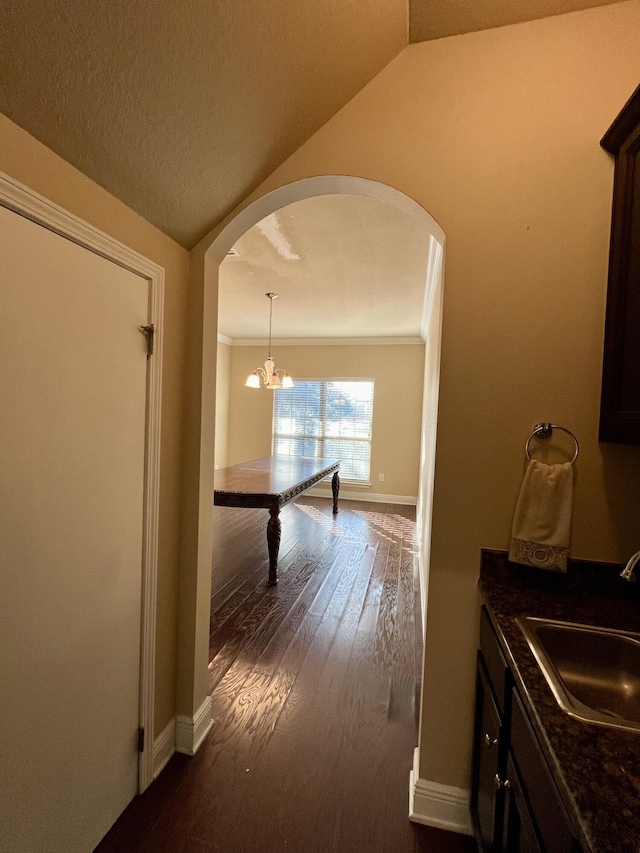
<point>442,806</point>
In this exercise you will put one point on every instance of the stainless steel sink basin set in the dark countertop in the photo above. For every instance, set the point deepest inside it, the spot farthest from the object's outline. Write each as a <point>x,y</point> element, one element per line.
<point>594,673</point>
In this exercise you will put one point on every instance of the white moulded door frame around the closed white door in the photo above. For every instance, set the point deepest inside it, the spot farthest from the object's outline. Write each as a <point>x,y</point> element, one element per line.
<point>26,202</point>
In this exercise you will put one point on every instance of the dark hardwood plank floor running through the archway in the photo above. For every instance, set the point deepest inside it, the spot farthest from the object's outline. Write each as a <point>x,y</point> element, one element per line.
<point>314,689</point>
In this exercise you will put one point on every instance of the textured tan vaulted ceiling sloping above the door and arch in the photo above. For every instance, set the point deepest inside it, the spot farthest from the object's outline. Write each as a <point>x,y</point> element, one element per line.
<point>180,108</point>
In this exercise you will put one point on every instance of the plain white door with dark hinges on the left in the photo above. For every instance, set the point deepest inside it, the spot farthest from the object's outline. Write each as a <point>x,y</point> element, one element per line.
<point>72,444</point>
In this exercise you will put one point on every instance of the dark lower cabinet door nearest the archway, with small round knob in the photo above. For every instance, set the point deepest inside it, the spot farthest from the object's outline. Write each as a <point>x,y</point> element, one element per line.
<point>486,794</point>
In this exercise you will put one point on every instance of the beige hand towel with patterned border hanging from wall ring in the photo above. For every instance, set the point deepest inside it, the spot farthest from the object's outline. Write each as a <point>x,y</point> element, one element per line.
<point>542,522</point>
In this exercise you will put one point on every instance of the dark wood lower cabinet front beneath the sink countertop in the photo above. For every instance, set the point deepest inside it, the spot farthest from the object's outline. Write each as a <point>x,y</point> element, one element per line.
<point>515,805</point>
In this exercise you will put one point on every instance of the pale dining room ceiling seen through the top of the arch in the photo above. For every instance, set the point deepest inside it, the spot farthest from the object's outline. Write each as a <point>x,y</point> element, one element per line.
<point>342,266</point>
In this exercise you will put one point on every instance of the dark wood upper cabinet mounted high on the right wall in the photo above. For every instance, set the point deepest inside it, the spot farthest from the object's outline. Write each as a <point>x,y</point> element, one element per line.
<point>620,403</point>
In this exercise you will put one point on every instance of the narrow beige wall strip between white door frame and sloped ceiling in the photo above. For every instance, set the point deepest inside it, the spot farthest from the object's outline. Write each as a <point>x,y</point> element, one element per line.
<point>28,161</point>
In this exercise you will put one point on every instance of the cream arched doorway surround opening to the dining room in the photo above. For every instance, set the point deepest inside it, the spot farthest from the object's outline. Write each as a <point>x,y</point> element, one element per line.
<point>193,703</point>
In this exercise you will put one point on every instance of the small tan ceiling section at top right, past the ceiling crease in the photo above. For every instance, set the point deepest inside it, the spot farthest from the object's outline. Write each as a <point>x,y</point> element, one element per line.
<point>432,19</point>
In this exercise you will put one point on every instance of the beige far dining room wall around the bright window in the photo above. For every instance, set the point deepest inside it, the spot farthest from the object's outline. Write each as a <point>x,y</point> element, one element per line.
<point>397,373</point>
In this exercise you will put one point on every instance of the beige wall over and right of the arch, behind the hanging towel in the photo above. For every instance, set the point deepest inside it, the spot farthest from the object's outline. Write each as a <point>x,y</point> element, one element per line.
<point>496,135</point>
